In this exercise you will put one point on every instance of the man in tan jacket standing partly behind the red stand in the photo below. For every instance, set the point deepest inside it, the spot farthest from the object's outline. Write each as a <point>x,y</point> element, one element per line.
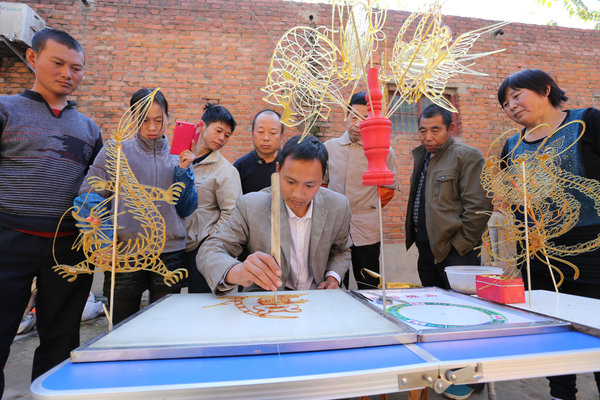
<point>346,165</point>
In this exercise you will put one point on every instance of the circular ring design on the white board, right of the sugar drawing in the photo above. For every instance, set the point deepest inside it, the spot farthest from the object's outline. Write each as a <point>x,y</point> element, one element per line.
<point>445,315</point>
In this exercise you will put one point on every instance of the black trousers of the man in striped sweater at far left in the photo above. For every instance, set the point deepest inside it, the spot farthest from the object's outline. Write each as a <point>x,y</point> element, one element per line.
<point>59,303</point>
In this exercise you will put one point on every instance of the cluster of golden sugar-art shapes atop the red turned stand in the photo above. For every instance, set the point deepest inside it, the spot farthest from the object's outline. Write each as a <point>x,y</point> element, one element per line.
<point>311,68</point>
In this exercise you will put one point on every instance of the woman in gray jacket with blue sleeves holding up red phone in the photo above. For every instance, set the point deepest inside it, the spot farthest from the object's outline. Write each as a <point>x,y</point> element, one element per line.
<point>148,155</point>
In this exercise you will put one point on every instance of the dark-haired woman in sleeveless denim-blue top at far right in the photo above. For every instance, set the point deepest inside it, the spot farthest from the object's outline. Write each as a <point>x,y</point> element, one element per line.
<point>532,99</point>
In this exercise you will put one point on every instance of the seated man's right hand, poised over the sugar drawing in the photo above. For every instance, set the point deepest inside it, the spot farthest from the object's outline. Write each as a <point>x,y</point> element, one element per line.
<point>259,268</point>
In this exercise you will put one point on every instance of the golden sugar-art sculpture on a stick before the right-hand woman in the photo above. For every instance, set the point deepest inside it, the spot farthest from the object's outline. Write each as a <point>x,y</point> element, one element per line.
<point>534,186</point>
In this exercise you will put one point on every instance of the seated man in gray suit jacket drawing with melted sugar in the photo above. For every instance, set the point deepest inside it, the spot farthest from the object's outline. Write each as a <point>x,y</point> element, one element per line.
<point>315,224</point>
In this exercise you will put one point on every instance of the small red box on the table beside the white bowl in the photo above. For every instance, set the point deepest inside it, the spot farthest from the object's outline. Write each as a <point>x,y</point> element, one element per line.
<point>500,288</point>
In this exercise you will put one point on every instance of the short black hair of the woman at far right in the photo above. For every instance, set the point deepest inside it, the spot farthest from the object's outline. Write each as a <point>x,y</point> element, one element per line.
<point>535,80</point>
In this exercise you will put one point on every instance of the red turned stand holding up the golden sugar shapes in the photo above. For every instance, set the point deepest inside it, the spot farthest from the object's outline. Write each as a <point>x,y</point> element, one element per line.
<point>375,132</point>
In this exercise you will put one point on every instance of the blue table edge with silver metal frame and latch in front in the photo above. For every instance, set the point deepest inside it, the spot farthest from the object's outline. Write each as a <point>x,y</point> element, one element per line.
<point>327,374</point>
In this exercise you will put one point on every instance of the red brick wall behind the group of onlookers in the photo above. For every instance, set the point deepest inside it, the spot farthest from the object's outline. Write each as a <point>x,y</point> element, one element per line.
<point>221,50</point>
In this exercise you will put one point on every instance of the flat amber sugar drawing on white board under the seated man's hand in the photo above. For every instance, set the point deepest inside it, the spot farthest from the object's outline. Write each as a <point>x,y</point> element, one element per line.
<point>266,306</point>
